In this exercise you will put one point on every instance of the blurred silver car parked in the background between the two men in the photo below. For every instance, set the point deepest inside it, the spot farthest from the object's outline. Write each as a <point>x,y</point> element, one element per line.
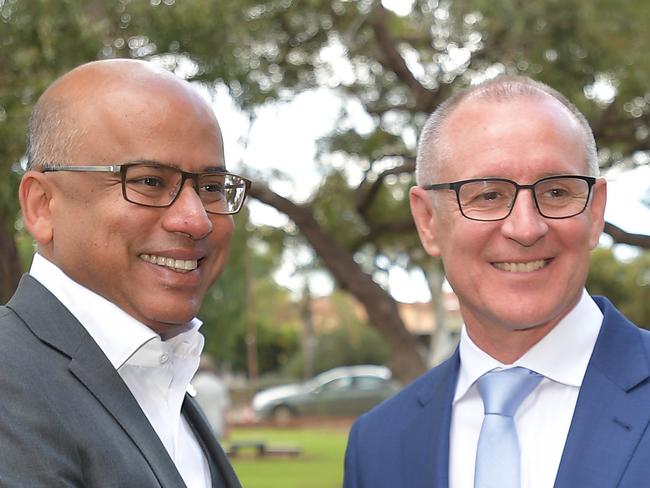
<point>343,391</point>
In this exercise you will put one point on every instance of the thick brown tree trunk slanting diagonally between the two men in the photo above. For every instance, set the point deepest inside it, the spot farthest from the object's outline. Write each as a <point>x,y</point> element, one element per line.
<point>407,362</point>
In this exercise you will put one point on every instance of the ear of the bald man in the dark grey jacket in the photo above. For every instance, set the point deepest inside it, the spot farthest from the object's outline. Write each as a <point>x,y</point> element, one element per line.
<point>35,194</point>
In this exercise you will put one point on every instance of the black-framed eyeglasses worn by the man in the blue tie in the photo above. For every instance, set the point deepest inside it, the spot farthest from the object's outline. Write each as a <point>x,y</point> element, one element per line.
<point>490,199</point>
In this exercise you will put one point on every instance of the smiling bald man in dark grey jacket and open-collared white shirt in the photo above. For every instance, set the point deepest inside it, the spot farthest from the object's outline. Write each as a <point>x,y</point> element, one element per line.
<point>129,202</point>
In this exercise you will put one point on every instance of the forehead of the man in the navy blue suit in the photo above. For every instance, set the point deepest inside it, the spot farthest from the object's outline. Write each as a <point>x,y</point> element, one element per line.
<point>521,138</point>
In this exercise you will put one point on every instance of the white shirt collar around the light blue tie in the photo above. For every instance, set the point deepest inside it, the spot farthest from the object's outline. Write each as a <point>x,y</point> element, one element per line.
<point>573,337</point>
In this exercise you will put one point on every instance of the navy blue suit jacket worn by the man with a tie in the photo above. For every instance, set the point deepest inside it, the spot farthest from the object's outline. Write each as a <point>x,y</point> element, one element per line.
<point>404,442</point>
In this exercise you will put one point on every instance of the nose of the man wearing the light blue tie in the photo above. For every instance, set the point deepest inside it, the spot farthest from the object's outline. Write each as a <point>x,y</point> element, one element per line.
<point>525,224</point>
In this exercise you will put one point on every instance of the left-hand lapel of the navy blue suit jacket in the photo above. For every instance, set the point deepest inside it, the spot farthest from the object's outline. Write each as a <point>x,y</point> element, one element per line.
<point>425,442</point>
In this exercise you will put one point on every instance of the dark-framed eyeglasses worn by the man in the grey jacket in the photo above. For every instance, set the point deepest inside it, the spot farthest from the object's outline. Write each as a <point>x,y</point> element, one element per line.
<point>158,185</point>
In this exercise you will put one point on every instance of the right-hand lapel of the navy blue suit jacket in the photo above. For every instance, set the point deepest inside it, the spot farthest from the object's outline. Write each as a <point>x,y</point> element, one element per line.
<point>612,409</point>
